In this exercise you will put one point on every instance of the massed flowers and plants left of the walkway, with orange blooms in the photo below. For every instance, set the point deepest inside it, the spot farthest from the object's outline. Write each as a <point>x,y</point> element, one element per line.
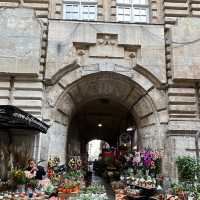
<point>63,182</point>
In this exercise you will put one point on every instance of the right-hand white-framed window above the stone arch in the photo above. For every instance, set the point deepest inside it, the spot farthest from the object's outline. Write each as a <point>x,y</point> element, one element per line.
<point>133,11</point>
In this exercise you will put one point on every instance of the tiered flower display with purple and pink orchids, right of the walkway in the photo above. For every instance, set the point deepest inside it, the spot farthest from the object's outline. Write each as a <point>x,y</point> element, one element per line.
<point>138,174</point>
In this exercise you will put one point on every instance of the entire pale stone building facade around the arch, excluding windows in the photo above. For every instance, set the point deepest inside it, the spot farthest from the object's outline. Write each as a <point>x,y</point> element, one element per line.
<point>51,67</point>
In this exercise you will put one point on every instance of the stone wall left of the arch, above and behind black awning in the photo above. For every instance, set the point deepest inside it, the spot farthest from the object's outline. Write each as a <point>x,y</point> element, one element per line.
<point>21,40</point>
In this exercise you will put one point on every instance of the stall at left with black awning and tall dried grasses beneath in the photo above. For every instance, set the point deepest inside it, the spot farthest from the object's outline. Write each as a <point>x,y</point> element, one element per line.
<point>19,131</point>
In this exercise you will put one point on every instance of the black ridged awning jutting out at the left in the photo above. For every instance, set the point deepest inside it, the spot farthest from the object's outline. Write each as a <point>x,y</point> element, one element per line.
<point>13,117</point>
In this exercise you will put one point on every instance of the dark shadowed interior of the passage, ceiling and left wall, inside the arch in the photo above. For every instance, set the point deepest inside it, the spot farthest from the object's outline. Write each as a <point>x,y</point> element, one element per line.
<point>102,119</point>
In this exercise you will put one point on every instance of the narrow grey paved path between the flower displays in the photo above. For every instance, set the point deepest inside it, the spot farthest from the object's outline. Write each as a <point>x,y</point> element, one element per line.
<point>99,180</point>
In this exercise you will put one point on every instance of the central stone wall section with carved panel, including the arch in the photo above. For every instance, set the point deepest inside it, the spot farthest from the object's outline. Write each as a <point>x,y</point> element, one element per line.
<point>125,63</point>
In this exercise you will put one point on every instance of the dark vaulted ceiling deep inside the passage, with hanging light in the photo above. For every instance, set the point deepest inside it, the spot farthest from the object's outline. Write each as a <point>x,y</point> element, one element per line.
<point>113,117</point>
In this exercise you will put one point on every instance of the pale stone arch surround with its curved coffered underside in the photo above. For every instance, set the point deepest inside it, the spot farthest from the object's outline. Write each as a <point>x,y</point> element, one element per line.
<point>133,90</point>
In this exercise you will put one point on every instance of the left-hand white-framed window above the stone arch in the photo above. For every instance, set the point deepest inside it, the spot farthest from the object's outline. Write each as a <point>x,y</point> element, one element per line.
<point>80,9</point>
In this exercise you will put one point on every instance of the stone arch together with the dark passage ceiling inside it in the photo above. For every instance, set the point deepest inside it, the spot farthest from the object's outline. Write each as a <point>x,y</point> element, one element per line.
<point>77,108</point>
